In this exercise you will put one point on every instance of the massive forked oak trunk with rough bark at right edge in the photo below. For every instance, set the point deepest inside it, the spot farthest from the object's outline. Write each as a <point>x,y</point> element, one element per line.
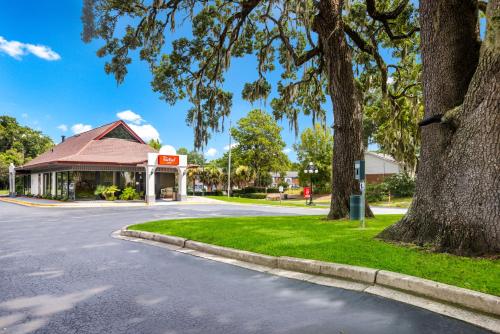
<point>456,207</point>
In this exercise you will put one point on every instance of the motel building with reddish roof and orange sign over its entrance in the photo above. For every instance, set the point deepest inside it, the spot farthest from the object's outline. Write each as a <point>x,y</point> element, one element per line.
<point>112,154</point>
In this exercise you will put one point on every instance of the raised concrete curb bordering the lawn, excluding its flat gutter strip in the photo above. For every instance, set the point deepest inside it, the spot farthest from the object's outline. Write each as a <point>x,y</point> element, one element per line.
<point>463,298</point>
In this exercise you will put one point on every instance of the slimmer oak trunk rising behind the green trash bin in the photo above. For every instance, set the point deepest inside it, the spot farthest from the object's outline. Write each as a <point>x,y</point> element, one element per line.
<point>346,99</point>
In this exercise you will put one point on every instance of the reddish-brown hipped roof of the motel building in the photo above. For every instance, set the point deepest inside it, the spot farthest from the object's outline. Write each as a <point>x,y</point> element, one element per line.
<point>90,148</point>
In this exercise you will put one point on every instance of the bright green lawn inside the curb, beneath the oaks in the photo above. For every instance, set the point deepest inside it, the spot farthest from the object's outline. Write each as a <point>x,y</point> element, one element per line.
<point>339,241</point>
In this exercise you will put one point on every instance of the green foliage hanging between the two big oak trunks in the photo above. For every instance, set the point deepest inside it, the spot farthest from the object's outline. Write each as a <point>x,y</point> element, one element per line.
<point>391,120</point>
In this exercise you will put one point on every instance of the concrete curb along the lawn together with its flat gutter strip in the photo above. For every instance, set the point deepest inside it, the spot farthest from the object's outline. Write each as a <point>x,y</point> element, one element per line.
<point>471,306</point>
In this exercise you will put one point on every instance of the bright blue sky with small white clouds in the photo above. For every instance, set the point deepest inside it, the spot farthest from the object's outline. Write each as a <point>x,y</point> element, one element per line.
<point>52,81</point>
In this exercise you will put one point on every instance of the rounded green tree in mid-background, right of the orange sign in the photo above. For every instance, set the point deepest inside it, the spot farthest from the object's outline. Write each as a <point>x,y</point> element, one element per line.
<point>260,145</point>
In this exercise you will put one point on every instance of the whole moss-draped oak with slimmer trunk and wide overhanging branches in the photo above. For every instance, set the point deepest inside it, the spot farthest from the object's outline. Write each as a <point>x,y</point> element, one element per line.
<point>311,42</point>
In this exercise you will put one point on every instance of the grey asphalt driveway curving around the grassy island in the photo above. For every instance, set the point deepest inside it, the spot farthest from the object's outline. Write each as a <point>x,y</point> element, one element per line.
<point>61,272</point>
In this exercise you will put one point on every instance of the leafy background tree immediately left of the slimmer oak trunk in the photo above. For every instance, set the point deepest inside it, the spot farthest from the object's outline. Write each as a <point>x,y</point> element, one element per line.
<point>315,145</point>
